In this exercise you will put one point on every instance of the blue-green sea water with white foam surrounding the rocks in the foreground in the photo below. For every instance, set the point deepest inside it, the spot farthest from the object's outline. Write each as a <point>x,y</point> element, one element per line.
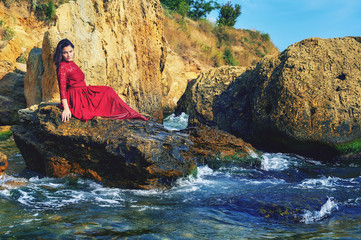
<point>290,197</point>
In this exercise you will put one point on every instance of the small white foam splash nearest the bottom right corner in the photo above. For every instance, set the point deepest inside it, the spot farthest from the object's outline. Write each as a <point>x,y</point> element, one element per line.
<point>326,210</point>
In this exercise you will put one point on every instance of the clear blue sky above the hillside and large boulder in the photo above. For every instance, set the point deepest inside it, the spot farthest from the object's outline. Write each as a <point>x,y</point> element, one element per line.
<point>290,21</point>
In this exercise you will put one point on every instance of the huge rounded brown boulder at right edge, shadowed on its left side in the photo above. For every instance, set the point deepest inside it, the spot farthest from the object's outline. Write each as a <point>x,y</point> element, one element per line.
<point>305,100</point>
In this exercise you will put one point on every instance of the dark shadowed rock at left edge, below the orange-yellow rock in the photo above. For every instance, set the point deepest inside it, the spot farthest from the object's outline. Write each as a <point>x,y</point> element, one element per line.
<point>11,98</point>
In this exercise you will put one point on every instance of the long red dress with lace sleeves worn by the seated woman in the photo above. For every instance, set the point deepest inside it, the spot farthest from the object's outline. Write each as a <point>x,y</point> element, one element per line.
<point>86,102</point>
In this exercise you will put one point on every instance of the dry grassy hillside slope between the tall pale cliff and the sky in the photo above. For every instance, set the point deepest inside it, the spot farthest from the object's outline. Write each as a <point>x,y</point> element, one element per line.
<point>214,45</point>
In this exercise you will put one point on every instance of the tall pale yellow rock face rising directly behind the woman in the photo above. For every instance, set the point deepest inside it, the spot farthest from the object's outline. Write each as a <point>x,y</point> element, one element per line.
<point>117,43</point>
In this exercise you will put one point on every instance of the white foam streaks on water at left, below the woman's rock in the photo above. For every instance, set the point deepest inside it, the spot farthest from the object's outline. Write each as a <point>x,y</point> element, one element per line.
<point>49,193</point>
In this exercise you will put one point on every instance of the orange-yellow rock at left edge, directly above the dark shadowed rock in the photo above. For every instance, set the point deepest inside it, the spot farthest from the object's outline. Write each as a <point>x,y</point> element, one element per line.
<point>9,52</point>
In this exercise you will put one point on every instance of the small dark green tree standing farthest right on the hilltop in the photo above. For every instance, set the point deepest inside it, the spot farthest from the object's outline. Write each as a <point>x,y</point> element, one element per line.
<point>228,14</point>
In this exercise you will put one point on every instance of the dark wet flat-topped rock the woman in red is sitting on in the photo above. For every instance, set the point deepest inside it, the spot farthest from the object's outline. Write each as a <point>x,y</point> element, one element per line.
<point>130,153</point>
